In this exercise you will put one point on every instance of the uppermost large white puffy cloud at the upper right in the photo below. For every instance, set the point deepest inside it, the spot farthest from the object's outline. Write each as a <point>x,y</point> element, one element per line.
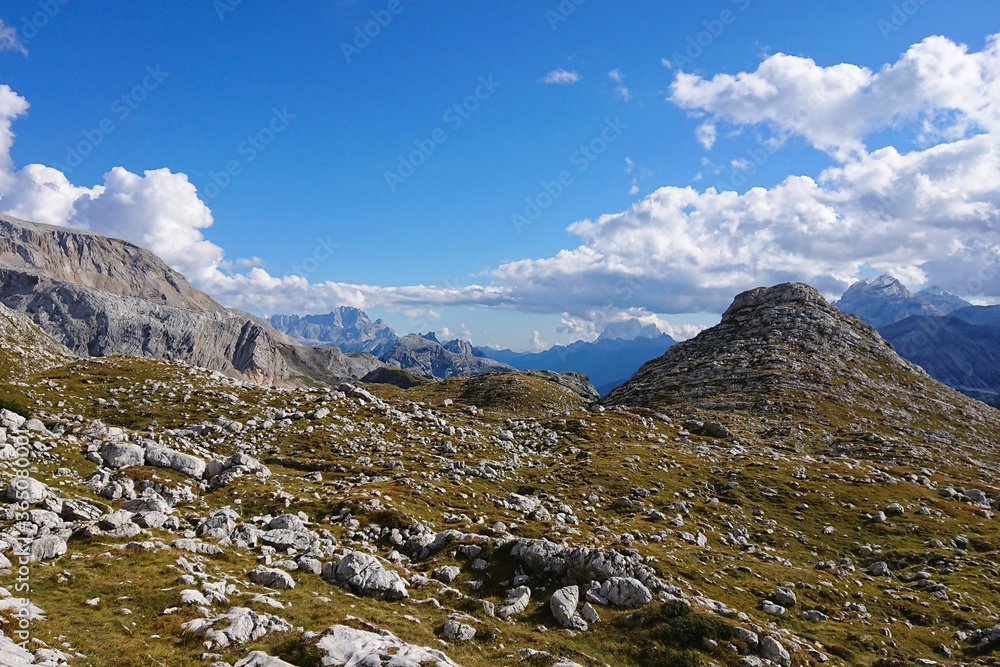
<point>937,83</point>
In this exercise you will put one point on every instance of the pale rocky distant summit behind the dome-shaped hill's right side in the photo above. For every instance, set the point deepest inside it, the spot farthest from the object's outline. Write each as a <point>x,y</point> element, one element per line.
<point>885,300</point>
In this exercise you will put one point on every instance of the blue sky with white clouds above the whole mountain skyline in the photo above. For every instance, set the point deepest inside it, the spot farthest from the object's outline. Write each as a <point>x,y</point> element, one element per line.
<point>308,135</point>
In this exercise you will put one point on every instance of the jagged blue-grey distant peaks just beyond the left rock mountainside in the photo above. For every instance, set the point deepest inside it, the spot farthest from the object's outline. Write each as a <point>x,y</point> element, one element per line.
<point>348,328</point>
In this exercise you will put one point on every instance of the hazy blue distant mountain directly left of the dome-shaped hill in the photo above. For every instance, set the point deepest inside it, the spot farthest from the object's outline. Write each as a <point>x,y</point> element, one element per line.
<point>610,360</point>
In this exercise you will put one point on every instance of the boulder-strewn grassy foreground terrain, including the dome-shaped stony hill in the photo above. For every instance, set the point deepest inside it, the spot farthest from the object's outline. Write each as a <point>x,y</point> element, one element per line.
<point>759,511</point>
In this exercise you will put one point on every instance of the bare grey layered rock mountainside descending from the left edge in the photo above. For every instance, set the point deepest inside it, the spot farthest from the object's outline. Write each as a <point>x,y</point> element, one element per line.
<point>102,297</point>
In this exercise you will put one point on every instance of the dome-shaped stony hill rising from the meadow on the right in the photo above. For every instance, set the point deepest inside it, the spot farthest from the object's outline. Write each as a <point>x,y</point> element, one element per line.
<point>785,349</point>
